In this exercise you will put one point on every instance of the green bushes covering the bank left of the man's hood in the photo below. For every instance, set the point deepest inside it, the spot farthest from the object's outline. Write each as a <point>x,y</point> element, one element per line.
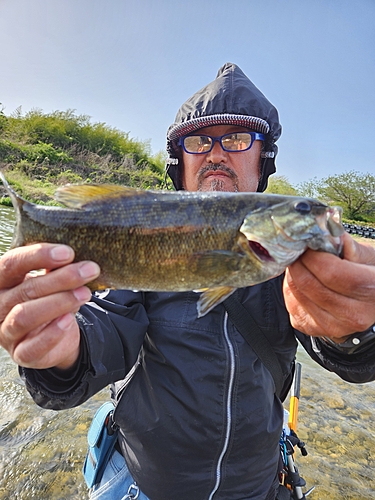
<point>42,151</point>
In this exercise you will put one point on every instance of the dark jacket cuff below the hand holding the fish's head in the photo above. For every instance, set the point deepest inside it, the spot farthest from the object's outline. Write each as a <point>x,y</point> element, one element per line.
<point>357,367</point>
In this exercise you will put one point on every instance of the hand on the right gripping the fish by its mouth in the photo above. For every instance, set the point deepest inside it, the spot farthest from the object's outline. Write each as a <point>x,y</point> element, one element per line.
<point>332,297</point>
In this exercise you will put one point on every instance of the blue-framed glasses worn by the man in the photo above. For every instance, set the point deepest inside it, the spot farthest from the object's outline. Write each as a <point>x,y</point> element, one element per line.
<point>233,143</point>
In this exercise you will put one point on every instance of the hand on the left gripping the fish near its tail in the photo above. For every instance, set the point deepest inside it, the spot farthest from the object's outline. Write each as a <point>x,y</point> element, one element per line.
<point>37,314</point>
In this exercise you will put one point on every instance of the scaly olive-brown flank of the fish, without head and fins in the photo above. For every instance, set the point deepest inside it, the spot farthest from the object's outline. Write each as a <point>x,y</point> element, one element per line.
<point>144,242</point>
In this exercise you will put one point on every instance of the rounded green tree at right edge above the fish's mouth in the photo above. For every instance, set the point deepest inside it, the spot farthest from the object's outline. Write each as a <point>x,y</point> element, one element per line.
<point>354,191</point>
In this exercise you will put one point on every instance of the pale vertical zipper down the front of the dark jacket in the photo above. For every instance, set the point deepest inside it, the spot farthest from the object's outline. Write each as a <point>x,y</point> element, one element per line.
<point>228,408</point>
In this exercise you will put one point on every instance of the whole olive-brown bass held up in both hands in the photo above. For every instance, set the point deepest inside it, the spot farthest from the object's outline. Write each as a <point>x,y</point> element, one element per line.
<point>207,242</point>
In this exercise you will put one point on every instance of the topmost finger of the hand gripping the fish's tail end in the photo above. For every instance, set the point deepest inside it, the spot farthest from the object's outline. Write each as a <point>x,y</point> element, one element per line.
<point>16,263</point>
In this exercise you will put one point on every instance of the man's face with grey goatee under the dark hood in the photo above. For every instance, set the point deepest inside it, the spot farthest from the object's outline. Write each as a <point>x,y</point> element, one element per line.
<point>219,170</point>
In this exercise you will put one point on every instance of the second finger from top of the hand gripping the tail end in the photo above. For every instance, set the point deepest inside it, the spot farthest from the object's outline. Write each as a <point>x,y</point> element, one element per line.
<point>66,278</point>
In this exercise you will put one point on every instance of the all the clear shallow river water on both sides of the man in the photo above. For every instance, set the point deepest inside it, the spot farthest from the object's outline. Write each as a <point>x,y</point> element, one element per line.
<point>42,451</point>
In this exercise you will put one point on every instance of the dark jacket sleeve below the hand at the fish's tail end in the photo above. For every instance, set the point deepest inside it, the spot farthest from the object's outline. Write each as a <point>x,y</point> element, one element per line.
<point>113,326</point>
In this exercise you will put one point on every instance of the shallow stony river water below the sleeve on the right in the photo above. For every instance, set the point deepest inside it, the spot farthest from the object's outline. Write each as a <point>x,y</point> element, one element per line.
<point>337,422</point>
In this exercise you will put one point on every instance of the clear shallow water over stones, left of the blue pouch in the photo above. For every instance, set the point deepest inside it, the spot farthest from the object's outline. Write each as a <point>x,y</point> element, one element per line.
<point>41,451</point>
